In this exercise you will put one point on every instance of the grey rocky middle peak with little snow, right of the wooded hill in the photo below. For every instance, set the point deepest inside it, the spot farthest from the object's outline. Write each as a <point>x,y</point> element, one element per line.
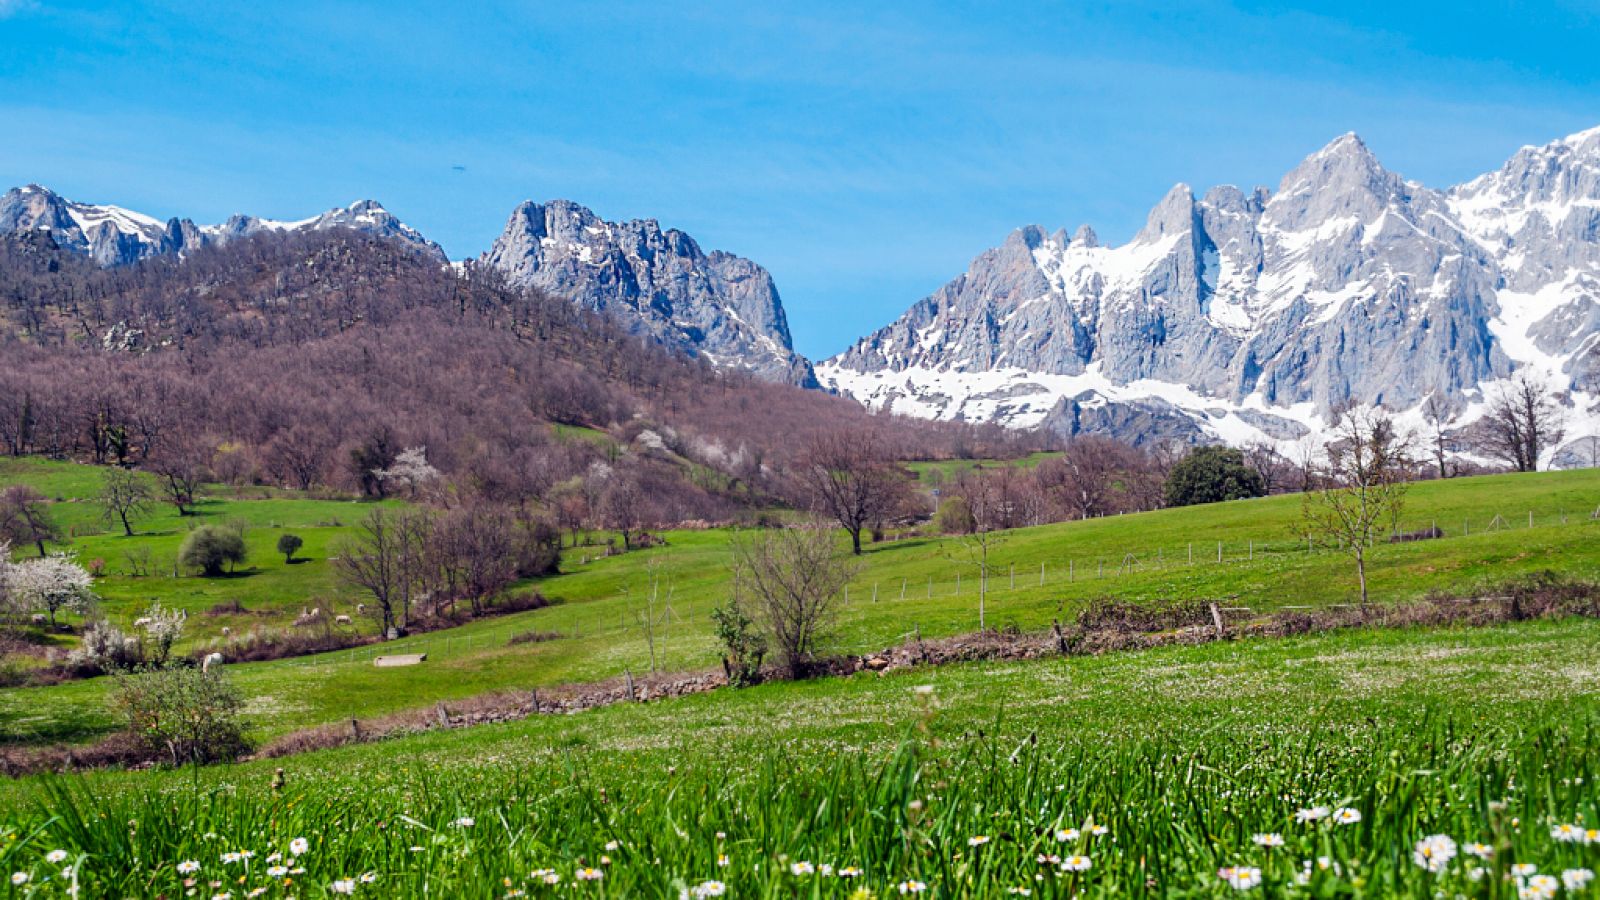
<point>657,281</point>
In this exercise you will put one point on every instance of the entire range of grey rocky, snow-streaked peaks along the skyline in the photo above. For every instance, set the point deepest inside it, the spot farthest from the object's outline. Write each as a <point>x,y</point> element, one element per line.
<point>1233,315</point>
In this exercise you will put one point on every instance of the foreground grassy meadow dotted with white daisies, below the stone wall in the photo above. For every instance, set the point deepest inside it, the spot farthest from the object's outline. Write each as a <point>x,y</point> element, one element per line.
<point>1182,753</point>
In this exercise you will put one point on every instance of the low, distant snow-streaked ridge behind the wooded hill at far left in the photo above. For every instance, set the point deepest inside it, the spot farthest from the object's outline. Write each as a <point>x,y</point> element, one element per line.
<point>114,236</point>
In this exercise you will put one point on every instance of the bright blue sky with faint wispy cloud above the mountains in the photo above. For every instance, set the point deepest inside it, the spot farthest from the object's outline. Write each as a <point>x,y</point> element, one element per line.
<point>862,151</point>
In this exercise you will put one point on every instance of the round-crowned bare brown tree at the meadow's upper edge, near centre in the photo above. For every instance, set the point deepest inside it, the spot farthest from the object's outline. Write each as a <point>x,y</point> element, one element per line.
<point>852,480</point>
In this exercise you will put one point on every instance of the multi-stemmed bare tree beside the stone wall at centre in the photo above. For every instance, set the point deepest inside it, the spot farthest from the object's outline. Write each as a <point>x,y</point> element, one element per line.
<point>796,579</point>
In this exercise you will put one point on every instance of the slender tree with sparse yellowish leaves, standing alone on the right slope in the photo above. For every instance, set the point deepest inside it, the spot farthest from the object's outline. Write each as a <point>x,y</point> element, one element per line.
<point>1362,492</point>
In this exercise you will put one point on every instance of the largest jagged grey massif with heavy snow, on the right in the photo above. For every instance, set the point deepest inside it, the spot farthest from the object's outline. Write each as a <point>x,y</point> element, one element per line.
<point>1249,316</point>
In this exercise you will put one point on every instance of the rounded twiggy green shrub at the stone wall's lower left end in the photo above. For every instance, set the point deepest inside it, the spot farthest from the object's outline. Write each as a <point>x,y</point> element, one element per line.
<point>183,713</point>
